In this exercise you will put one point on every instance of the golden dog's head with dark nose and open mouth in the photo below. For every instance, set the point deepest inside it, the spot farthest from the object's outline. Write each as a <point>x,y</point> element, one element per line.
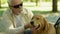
<point>38,21</point>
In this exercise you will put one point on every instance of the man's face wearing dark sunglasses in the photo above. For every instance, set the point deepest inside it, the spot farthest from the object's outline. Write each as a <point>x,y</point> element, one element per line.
<point>16,7</point>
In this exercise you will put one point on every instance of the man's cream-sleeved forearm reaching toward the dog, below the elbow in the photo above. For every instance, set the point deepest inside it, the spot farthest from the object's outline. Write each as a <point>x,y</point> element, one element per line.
<point>18,30</point>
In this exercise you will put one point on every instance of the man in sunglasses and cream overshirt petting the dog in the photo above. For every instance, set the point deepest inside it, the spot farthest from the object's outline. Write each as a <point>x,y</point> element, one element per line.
<point>16,19</point>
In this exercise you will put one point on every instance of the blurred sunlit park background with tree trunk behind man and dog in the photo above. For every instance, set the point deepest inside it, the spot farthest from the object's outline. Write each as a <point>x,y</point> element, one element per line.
<point>50,9</point>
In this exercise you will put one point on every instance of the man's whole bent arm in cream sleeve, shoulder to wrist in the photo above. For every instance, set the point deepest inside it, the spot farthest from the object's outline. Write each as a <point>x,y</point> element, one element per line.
<point>9,29</point>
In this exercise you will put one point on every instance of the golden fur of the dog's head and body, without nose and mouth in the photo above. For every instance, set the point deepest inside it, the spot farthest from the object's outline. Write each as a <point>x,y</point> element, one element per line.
<point>45,27</point>
